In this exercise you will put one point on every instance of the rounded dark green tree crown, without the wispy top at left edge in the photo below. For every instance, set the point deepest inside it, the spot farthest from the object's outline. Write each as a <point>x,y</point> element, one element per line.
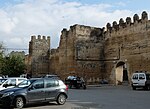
<point>13,66</point>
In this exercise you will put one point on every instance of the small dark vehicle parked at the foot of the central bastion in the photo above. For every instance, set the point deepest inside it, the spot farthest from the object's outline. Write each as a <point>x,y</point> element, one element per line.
<point>75,82</point>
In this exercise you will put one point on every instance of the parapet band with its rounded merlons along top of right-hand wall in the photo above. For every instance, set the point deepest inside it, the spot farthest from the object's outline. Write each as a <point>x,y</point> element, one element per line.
<point>128,26</point>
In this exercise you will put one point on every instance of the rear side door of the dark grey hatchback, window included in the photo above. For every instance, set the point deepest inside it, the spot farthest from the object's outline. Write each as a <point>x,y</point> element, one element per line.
<point>51,89</point>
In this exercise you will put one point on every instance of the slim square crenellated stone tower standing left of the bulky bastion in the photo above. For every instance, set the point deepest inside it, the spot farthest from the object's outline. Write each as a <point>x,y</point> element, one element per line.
<point>39,55</point>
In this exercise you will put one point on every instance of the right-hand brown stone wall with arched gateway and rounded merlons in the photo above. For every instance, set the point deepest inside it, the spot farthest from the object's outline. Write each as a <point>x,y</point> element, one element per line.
<point>128,43</point>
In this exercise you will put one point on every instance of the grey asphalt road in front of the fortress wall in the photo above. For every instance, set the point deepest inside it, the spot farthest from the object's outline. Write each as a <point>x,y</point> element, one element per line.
<point>104,97</point>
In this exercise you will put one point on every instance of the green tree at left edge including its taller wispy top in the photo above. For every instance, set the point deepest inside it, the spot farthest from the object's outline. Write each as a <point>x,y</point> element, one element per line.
<point>11,65</point>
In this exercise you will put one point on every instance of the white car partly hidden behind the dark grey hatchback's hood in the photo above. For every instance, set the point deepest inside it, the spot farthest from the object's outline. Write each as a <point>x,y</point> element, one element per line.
<point>10,82</point>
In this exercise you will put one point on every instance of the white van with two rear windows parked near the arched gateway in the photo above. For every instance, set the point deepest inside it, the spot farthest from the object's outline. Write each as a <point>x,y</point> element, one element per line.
<point>140,79</point>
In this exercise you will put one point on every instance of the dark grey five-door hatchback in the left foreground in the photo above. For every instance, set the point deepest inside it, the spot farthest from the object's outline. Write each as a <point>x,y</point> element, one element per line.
<point>33,91</point>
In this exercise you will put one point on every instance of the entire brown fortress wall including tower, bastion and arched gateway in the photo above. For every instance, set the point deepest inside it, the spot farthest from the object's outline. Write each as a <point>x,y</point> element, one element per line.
<point>113,53</point>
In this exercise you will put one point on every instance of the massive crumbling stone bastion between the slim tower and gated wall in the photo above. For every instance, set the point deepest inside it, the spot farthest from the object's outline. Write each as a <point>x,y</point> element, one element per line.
<point>79,52</point>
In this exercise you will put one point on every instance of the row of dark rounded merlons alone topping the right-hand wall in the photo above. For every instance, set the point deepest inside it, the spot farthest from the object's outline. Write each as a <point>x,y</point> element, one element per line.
<point>122,24</point>
